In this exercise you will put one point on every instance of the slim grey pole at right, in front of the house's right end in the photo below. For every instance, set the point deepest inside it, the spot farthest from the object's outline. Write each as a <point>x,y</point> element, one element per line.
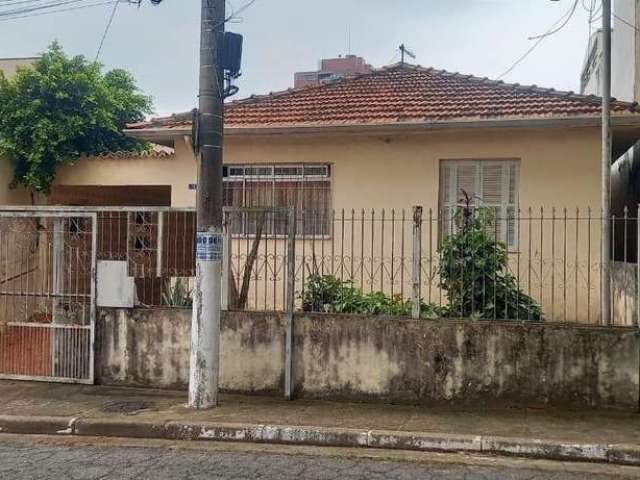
<point>605,280</point>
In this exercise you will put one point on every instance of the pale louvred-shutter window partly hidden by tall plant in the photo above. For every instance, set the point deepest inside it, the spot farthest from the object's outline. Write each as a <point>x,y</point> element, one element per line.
<point>489,183</point>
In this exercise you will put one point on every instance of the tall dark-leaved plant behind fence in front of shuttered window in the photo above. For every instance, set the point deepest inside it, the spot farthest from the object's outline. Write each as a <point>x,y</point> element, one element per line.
<point>474,271</point>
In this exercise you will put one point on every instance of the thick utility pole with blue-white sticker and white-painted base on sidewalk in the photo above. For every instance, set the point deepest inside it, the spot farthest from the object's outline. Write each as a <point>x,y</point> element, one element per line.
<point>205,324</point>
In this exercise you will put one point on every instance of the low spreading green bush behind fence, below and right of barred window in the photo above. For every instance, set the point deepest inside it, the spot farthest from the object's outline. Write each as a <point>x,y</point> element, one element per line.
<point>328,294</point>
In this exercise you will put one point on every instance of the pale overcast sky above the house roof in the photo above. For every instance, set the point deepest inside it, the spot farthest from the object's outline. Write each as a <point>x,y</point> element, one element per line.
<point>159,44</point>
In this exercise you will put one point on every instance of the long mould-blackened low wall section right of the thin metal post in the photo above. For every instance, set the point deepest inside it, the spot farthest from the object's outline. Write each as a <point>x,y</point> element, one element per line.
<point>442,362</point>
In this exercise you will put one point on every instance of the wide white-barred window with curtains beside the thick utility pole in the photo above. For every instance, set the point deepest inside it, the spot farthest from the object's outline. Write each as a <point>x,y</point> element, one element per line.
<point>307,187</point>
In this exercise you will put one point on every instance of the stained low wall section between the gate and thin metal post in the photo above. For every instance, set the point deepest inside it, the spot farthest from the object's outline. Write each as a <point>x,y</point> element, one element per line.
<point>150,347</point>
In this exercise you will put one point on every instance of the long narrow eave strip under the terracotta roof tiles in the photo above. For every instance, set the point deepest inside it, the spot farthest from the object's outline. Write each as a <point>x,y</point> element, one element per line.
<point>163,135</point>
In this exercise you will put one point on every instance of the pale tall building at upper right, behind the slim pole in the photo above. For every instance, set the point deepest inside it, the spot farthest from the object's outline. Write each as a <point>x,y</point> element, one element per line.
<point>625,55</point>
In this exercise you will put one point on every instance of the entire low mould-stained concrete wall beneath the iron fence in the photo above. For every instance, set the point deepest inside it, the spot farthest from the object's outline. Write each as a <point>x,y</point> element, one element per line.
<point>383,359</point>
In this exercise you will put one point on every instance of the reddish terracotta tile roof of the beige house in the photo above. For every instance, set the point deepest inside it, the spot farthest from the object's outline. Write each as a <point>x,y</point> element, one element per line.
<point>401,94</point>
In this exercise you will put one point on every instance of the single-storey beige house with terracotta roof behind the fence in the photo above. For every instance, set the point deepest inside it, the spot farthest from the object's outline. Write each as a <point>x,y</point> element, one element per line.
<point>357,149</point>
